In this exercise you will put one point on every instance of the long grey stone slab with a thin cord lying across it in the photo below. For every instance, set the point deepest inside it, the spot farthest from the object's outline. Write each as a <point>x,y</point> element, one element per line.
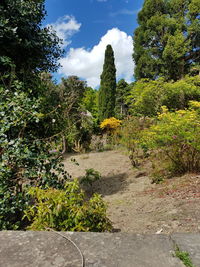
<point>48,249</point>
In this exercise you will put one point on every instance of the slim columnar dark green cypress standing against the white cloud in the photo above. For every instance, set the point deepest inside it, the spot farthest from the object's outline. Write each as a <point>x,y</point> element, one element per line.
<point>107,89</point>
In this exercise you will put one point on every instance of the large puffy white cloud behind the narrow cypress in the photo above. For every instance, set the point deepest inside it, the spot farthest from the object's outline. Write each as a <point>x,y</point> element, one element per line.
<point>88,64</point>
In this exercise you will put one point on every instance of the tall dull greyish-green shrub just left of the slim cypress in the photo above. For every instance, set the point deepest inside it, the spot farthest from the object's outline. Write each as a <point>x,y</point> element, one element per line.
<point>78,124</point>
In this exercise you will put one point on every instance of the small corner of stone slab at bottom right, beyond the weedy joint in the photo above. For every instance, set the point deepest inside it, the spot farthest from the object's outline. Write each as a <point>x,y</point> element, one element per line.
<point>189,242</point>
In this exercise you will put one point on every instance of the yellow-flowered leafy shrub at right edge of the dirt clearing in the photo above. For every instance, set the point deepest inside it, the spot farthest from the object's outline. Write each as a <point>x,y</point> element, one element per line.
<point>176,134</point>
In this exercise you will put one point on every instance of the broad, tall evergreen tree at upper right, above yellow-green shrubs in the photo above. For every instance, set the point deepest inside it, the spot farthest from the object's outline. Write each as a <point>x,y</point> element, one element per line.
<point>167,41</point>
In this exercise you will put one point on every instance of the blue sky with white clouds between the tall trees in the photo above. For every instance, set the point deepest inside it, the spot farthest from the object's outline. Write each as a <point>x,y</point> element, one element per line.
<point>87,27</point>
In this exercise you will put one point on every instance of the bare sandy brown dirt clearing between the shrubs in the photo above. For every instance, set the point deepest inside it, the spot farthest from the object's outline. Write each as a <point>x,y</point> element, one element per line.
<point>136,205</point>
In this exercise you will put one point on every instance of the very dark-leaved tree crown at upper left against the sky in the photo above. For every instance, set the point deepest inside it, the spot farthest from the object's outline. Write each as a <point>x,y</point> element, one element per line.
<point>30,47</point>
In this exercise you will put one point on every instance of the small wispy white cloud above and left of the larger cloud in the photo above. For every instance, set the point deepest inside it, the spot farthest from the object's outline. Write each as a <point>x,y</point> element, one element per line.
<point>65,27</point>
